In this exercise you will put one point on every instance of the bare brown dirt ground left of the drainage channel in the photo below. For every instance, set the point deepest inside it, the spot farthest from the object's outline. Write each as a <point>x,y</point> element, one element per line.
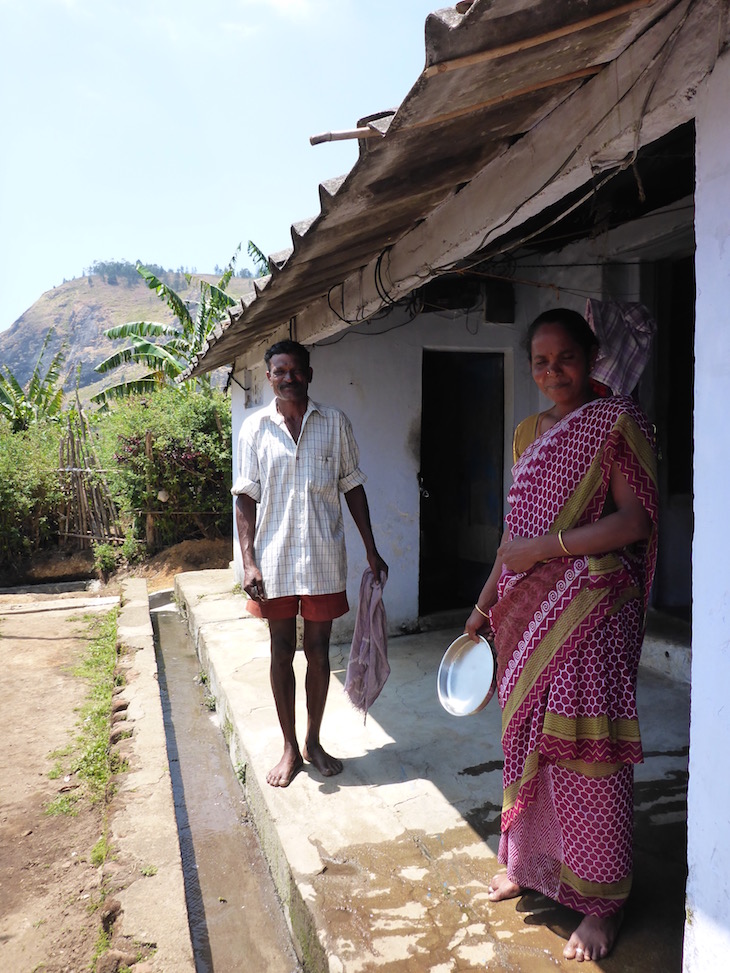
<point>54,902</point>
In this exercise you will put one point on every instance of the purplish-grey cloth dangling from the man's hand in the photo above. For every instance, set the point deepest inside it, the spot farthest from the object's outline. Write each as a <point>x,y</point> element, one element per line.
<point>368,667</point>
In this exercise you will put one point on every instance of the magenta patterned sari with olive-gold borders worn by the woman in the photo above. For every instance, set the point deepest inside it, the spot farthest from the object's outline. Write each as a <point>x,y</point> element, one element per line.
<point>568,635</point>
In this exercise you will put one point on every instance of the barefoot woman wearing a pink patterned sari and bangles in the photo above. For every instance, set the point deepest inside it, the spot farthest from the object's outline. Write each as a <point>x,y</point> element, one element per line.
<point>566,602</point>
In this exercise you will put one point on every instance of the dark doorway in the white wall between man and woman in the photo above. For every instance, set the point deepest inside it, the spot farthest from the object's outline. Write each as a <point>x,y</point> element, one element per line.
<point>462,466</point>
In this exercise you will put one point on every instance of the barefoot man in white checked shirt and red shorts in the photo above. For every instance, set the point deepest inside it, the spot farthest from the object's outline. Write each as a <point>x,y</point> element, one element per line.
<point>295,457</point>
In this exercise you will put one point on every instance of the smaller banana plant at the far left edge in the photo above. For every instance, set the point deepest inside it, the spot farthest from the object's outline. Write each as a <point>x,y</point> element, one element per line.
<point>42,399</point>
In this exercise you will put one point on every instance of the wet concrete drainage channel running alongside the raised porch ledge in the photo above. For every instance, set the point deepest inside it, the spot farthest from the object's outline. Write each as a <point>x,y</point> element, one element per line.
<point>235,916</point>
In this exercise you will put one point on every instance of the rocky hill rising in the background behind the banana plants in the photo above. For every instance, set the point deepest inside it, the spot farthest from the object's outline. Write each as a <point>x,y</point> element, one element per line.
<point>79,311</point>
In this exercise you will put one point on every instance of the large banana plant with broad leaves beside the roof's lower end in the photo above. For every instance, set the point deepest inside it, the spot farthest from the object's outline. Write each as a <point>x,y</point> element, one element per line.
<point>168,357</point>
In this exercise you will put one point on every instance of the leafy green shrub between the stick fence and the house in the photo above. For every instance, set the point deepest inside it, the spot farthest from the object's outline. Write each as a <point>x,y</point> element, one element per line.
<point>169,454</point>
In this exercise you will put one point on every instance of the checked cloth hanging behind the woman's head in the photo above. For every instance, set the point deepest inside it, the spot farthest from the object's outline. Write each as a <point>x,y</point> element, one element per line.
<point>625,332</point>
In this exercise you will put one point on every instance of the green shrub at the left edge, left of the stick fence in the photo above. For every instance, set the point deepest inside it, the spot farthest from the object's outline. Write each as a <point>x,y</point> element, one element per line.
<point>30,489</point>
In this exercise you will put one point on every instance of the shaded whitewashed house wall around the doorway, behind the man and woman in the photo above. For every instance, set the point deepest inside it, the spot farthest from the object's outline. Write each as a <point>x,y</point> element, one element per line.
<point>376,380</point>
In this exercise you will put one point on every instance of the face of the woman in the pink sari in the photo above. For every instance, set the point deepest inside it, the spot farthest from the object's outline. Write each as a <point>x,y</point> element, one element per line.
<point>560,367</point>
